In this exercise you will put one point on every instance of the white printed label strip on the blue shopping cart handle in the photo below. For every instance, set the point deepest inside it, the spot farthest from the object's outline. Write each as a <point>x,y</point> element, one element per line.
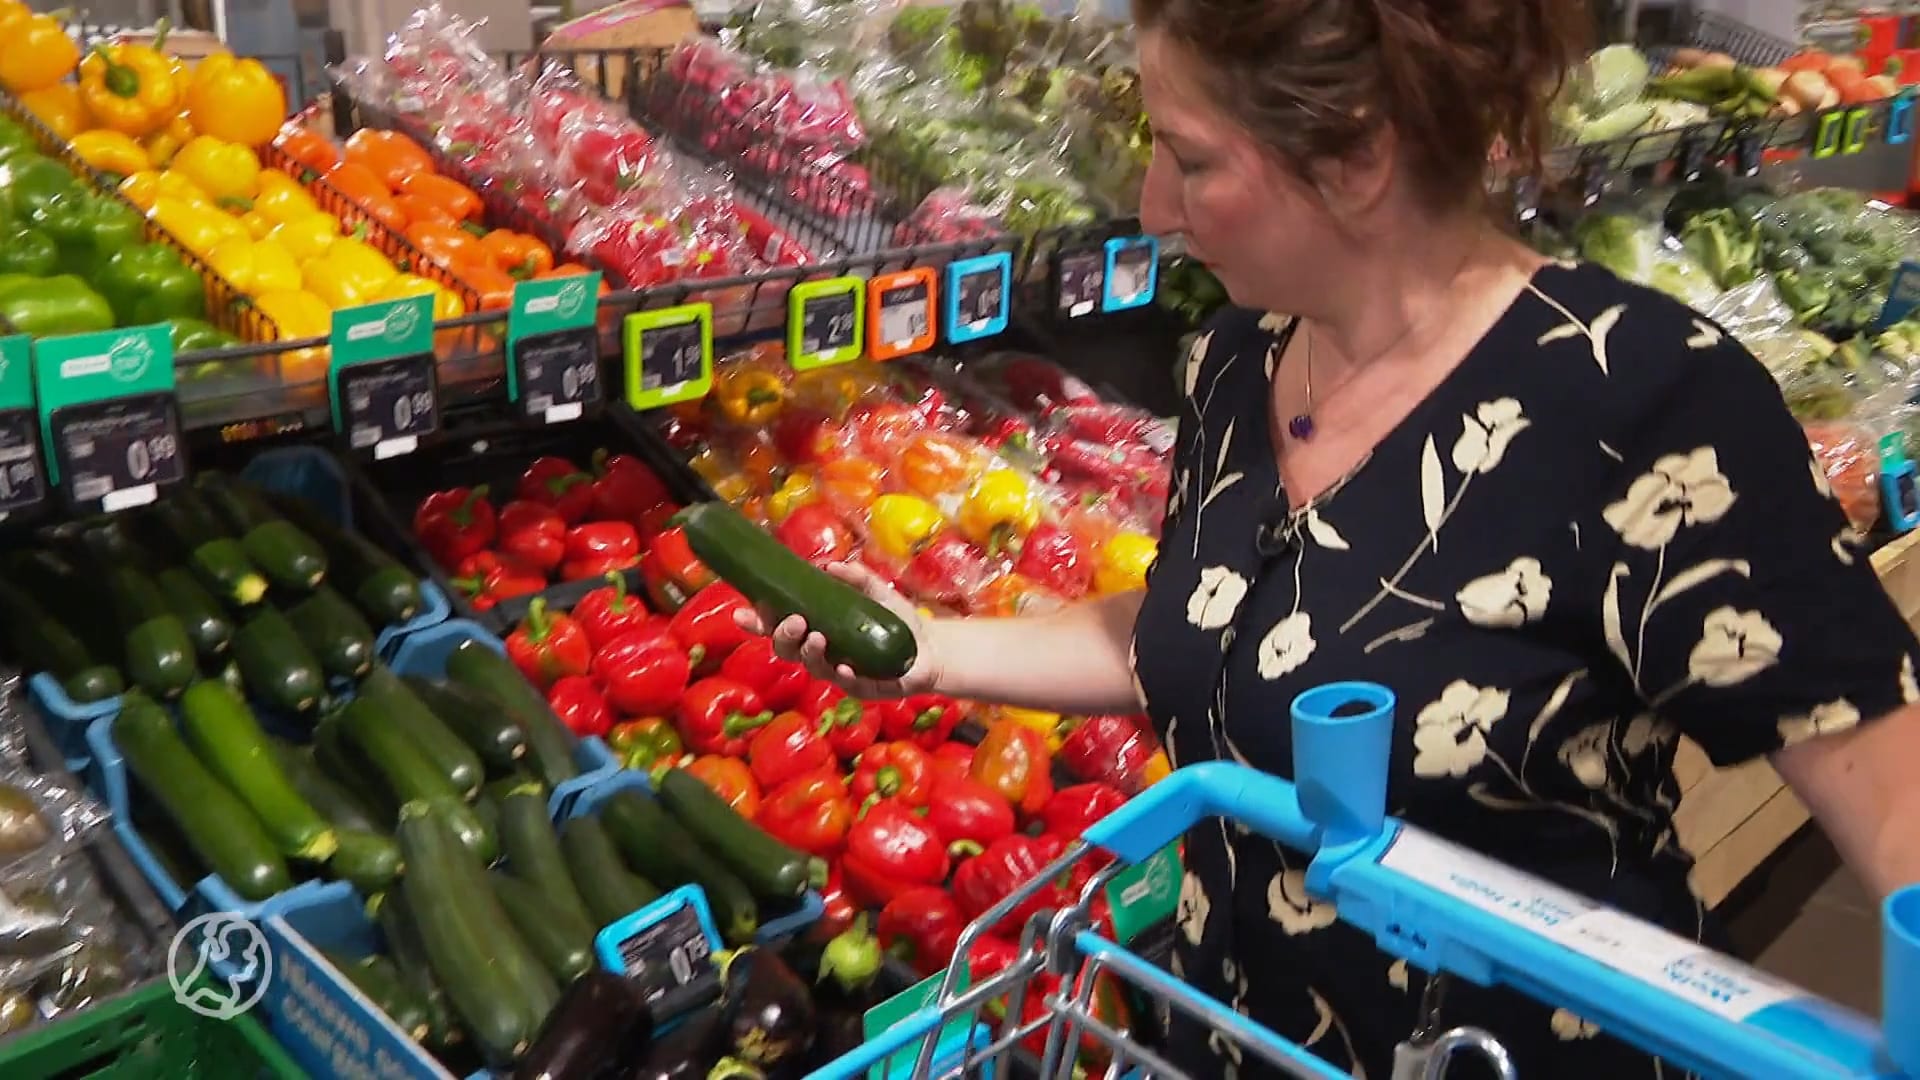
<point>1621,943</point>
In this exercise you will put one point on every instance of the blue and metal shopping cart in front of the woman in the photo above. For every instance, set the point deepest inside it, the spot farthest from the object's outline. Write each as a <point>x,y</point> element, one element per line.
<point>1433,904</point>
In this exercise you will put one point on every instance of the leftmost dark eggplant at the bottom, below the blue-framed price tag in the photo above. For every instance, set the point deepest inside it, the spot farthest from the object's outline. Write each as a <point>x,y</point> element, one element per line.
<point>600,1029</point>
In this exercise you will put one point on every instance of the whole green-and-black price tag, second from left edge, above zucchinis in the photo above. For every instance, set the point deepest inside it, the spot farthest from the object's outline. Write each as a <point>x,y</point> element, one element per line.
<point>108,418</point>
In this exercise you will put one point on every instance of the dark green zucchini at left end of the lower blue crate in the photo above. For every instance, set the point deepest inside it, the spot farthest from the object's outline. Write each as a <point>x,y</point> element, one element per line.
<point>222,831</point>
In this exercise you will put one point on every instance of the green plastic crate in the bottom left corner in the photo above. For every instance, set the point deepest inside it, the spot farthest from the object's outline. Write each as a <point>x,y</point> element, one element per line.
<point>147,1035</point>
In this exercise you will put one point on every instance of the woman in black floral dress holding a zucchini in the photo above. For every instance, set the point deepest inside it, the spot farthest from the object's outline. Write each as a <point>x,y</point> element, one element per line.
<point>1564,518</point>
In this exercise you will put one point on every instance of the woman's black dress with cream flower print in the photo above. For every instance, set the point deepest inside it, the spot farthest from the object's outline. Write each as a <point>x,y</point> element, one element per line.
<point>1600,533</point>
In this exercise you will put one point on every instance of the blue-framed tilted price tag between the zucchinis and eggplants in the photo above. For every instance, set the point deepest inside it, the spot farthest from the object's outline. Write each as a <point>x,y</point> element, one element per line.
<point>667,950</point>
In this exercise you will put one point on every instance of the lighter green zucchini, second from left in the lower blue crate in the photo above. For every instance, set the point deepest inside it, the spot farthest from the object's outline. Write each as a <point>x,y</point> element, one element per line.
<point>228,737</point>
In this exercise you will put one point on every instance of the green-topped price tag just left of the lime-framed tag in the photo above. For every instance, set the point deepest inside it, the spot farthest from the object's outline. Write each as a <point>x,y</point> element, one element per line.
<point>554,349</point>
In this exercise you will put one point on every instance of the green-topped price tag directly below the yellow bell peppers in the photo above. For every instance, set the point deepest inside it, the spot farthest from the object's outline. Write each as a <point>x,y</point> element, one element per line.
<point>383,383</point>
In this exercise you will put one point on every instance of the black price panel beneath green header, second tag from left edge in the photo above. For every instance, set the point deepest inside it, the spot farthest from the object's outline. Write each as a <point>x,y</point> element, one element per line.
<point>118,453</point>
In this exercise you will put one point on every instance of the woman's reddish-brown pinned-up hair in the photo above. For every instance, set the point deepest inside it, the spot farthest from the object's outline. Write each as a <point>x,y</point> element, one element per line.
<point>1452,78</point>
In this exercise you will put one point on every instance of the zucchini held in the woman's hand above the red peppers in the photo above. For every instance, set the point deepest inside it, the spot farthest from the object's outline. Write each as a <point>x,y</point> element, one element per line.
<point>859,631</point>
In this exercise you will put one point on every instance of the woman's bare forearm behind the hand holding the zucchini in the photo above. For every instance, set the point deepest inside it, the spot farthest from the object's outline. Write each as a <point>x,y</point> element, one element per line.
<point>1074,660</point>
